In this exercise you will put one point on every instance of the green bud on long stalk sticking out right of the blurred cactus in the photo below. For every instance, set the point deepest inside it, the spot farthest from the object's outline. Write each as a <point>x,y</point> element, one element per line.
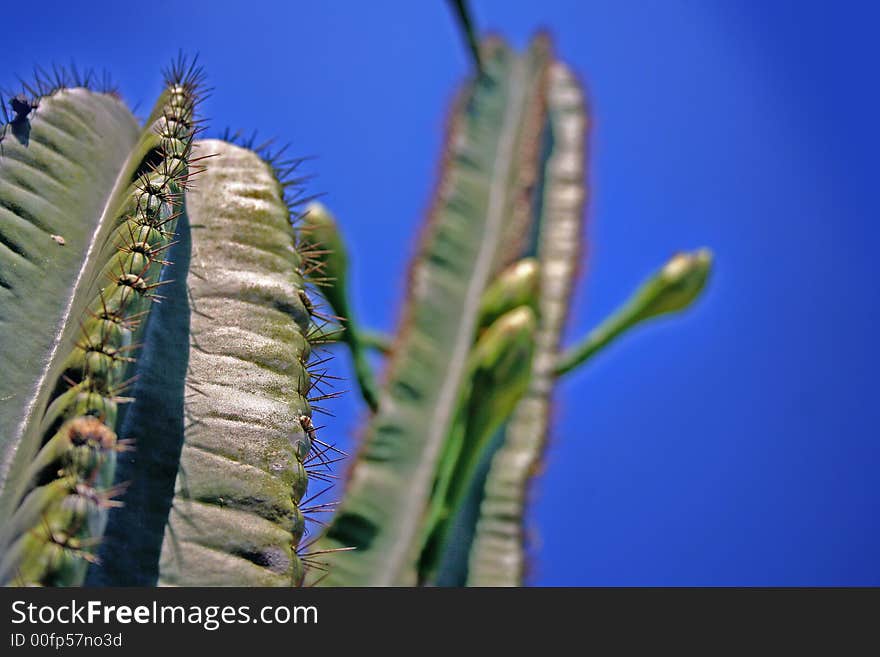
<point>675,287</point>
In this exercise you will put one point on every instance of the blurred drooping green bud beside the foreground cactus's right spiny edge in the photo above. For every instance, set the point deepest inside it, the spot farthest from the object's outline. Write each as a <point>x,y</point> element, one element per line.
<point>322,236</point>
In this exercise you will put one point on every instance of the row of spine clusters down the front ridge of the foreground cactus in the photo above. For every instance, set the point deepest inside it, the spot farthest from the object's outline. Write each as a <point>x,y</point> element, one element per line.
<point>96,372</point>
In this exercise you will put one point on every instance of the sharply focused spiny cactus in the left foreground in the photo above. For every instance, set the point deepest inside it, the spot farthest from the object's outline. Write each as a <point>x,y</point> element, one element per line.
<point>177,316</point>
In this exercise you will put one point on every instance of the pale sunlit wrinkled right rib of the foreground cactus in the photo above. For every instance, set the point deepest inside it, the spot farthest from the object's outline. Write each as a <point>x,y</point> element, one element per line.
<point>235,518</point>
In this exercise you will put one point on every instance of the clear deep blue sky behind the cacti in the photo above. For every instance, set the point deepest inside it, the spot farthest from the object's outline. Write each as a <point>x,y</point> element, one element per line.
<point>736,446</point>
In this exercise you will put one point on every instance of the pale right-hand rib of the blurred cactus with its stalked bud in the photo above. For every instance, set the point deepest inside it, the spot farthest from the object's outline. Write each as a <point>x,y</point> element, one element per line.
<point>498,556</point>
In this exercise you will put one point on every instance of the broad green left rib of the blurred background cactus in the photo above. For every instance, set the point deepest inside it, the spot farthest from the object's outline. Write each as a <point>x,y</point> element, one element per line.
<point>473,230</point>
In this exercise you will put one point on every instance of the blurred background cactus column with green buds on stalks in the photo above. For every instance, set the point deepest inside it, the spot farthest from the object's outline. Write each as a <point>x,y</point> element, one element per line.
<point>437,492</point>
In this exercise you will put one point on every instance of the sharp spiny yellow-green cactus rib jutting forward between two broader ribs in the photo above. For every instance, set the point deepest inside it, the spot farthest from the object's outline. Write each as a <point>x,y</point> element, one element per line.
<point>92,375</point>
